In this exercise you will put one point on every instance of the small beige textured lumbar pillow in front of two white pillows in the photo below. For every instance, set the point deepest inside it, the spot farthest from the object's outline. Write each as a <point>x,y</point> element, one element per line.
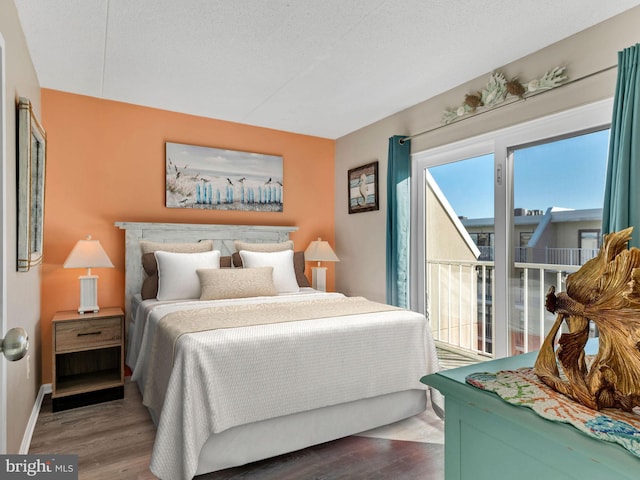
<point>236,283</point>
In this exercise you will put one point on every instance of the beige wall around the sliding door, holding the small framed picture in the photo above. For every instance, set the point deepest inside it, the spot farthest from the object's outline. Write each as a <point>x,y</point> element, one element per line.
<point>360,238</point>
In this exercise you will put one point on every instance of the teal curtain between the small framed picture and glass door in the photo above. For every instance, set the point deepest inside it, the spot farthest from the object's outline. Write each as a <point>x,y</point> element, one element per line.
<point>398,221</point>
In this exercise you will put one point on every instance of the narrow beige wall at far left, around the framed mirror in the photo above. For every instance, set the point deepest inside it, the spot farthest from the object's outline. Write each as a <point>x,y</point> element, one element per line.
<point>23,289</point>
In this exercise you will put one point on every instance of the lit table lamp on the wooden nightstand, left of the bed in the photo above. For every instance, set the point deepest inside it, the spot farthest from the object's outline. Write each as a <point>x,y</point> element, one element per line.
<point>88,254</point>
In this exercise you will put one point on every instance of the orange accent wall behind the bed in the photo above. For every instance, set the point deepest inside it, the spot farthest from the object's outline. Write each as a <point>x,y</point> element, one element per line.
<point>106,163</point>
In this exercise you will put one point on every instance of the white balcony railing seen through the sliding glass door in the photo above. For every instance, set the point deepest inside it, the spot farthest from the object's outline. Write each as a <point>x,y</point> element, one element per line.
<point>460,296</point>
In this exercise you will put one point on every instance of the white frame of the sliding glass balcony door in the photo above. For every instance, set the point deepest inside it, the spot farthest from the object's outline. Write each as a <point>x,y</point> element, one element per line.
<point>501,143</point>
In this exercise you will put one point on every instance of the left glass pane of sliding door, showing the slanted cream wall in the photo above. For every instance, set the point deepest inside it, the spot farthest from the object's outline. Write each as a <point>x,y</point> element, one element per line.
<point>459,252</point>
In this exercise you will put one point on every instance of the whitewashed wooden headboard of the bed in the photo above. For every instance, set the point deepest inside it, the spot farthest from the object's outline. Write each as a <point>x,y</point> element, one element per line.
<point>223,237</point>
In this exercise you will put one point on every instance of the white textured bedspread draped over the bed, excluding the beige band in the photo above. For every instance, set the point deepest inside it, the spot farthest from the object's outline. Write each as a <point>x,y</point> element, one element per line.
<point>229,377</point>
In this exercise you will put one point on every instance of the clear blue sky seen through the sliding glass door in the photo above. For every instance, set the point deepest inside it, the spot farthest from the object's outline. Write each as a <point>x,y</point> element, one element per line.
<point>568,173</point>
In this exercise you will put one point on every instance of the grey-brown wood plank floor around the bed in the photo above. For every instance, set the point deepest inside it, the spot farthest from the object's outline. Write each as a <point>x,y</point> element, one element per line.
<point>114,440</point>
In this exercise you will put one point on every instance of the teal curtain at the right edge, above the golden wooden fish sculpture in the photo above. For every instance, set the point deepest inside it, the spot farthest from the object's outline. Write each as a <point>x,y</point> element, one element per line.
<point>622,195</point>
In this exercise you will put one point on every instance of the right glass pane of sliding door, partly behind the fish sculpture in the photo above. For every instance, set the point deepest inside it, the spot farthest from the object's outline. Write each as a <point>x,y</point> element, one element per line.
<point>558,193</point>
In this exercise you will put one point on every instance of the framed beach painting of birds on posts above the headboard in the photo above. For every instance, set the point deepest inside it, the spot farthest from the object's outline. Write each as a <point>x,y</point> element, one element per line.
<point>219,179</point>
